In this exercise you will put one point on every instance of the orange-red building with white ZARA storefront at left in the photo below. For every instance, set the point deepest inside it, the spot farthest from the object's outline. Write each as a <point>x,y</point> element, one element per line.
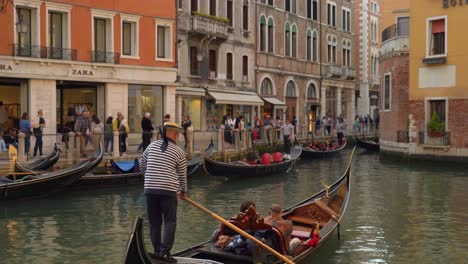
<point>103,56</point>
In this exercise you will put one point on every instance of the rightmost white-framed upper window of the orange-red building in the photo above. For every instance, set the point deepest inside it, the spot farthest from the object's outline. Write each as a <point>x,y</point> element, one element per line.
<point>164,40</point>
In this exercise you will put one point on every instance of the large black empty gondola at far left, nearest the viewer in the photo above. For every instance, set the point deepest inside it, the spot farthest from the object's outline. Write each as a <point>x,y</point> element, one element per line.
<point>42,184</point>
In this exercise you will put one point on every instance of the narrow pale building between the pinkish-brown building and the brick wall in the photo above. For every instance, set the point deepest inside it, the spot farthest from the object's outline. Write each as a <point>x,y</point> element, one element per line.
<point>368,38</point>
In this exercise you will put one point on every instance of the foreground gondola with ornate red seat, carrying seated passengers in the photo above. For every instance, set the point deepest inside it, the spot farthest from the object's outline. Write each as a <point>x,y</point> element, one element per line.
<point>325,209</point>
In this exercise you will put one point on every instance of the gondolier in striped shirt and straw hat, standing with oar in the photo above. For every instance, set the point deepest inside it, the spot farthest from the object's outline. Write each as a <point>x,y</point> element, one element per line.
<point>164,167</point>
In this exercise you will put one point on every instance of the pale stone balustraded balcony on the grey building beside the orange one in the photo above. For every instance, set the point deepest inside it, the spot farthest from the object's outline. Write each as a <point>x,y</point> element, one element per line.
<point>207,25</point>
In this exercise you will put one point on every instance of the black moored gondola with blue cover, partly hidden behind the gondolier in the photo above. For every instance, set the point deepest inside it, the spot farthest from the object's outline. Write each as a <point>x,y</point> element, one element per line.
<point>120,175</point>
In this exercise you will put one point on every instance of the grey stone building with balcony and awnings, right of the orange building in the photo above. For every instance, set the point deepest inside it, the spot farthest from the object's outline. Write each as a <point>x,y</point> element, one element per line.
<point>216,42</point>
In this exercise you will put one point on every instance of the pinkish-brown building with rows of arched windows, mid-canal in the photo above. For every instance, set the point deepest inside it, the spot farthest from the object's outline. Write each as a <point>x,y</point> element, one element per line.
<point>303,64</point>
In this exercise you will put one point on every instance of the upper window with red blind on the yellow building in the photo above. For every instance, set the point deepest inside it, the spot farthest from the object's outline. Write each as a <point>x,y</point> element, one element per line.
<point>437,37</point>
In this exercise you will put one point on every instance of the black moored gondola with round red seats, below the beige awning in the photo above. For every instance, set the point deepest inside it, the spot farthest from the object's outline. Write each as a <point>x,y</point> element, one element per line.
<point>241,169</point>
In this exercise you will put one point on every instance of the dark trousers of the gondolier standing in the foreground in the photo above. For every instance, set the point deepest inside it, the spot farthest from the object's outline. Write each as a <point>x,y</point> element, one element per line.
<point>162,209</point>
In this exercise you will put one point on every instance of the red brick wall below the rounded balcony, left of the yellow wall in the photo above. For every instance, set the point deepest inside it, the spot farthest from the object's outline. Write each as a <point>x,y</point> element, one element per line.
<point>397,118</point>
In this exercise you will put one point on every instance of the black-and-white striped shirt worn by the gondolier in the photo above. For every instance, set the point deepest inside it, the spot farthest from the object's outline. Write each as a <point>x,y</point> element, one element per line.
<point>165,172</point>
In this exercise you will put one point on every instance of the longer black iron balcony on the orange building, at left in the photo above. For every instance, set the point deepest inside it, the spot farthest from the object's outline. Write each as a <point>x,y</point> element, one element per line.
<point>54,53</point>
